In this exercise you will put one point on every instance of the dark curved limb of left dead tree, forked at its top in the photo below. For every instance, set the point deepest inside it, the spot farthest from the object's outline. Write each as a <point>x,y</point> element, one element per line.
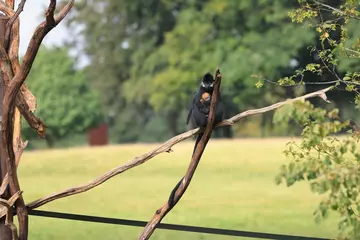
<point>10,95</point>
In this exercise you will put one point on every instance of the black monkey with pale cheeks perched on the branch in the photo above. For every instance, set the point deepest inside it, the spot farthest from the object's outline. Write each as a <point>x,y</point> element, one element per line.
<point>199,111</point>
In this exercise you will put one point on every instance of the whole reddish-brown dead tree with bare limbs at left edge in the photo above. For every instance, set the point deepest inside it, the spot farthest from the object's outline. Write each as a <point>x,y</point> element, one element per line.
<point>17,100</point>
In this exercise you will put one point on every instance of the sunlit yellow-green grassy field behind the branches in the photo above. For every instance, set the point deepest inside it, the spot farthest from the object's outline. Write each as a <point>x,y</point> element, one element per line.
<point>233,188</point>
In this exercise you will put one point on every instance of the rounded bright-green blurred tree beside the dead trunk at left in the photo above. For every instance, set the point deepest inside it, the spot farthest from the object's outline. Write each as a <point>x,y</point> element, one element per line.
<point>65,99</point>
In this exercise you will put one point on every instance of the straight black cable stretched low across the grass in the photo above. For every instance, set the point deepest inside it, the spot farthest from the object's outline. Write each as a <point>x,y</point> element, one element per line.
<point>175,227</point>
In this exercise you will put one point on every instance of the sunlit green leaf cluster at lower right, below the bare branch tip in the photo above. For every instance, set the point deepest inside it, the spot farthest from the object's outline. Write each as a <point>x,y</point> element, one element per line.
<point>330,165</point>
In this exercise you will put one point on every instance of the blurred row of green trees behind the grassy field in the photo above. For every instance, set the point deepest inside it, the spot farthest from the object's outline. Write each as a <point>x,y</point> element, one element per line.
<point>146,59</point>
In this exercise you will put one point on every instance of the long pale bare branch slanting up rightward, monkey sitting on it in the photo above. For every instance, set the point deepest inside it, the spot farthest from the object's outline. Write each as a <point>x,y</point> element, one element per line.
<point>166,147</point>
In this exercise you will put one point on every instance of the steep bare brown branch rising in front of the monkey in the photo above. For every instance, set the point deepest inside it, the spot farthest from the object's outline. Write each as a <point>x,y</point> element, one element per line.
<point>180,189</point>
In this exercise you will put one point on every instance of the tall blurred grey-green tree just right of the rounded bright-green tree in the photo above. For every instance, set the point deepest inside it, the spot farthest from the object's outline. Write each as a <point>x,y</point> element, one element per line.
<point>116,34</point>
